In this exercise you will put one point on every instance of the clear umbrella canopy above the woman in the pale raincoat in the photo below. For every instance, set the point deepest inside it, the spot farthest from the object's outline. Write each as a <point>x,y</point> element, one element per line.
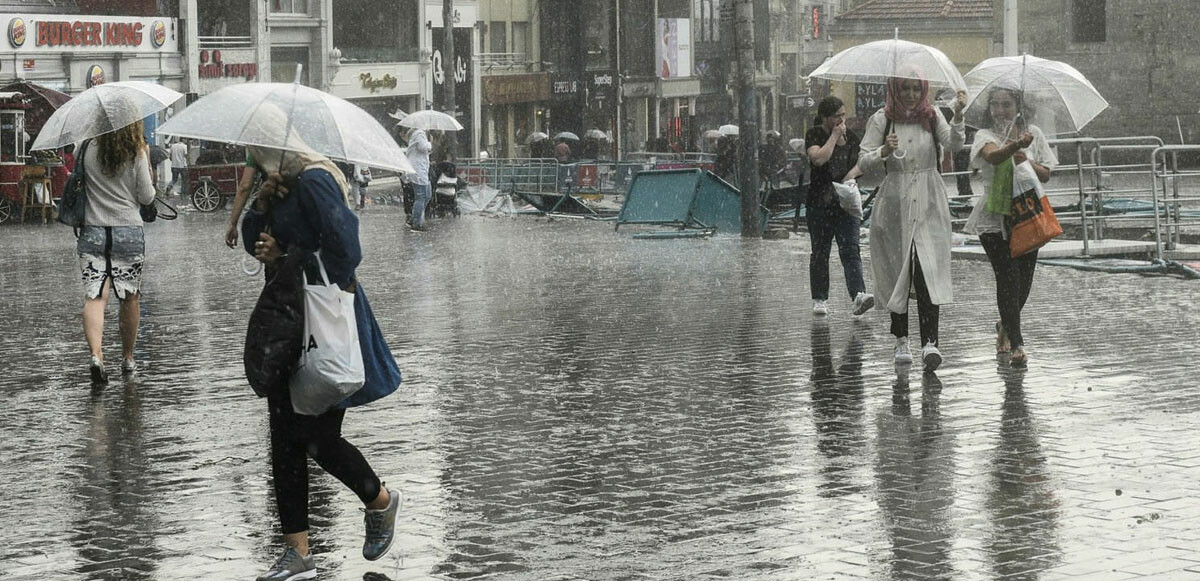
<point>878,62</point>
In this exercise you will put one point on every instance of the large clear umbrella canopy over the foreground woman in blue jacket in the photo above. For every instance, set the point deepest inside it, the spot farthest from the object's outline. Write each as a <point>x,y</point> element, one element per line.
<point>259,113</point>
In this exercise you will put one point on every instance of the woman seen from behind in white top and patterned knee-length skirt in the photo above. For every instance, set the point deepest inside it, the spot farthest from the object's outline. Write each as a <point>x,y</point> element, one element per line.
<point>112,243</point>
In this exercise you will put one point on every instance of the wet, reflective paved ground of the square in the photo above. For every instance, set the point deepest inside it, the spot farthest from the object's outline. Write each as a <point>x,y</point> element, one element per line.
<point>583,406</point>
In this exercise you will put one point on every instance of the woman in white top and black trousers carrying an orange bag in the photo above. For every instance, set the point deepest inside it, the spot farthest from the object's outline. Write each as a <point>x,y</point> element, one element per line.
<point>1010,140</point>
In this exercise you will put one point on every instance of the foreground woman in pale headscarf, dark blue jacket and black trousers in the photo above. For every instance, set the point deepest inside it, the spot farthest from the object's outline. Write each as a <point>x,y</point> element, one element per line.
<point>304,208</point>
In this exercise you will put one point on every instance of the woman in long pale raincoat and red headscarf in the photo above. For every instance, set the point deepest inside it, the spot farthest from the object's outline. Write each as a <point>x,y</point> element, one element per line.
<point>911,223</point>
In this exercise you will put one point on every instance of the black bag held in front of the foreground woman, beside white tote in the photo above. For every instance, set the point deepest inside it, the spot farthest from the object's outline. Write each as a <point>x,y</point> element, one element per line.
<point>275,334</point>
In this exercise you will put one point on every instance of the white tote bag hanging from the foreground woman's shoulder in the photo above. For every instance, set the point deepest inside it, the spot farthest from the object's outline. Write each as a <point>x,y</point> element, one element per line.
<point>332,362</point>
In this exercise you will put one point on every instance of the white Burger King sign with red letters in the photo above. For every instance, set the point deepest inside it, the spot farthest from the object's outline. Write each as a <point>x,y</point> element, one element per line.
<point>85,34</point>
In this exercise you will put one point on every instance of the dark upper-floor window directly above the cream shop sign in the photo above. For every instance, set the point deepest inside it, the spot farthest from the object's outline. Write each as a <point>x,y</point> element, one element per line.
<point>373,32</point>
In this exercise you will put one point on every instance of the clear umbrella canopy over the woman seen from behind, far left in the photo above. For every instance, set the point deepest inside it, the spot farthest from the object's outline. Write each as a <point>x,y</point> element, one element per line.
<point>103,110</point>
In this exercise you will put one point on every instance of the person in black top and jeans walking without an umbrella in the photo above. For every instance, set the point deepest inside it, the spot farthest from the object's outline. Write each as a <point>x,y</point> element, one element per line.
<point>833,157</point>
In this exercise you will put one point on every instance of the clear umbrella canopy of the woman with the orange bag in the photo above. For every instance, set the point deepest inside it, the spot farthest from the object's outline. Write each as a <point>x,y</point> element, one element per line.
<point>1057,98</point>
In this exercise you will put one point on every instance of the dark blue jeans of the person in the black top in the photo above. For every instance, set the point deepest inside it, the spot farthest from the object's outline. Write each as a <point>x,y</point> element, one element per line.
<point>825,225</point>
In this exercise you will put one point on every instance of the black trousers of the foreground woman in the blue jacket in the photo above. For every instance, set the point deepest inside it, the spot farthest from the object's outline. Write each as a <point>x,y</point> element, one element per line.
<point>295,438</point>
